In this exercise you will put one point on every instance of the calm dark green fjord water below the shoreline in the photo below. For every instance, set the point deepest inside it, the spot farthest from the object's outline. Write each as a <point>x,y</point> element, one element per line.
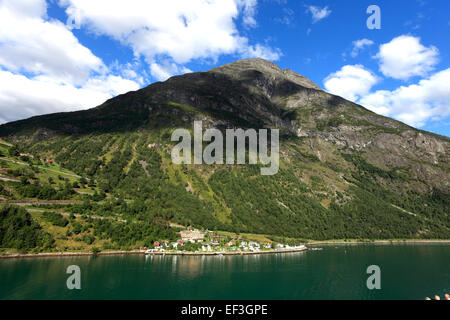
<point>335,272</point>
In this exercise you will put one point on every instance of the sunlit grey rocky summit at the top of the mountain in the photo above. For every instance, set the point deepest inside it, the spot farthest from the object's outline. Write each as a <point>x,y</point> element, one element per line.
<point>235,69</point>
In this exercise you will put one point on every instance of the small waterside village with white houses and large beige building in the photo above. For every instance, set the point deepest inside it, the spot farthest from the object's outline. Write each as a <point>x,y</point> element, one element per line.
<point>193,241</point>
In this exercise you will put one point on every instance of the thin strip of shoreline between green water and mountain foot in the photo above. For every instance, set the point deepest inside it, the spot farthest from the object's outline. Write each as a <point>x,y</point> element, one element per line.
<point>239,253</point>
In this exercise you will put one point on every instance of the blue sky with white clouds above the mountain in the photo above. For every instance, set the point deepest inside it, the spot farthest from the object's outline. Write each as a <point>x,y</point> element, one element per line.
<point>67,55</point>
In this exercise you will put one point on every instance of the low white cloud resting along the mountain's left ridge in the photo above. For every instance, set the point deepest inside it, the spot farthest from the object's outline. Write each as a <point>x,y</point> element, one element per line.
<point>22,97</point>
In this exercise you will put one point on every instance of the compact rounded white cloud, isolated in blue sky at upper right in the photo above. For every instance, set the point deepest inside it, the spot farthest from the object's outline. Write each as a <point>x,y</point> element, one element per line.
<point>405,57</point>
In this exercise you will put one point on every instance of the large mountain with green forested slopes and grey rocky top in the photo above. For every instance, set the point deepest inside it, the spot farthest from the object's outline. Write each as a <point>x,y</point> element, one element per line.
<point>345,172</point>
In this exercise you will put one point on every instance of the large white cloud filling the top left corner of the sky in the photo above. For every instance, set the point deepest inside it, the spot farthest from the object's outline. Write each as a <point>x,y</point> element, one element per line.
<point>29,43</point>
